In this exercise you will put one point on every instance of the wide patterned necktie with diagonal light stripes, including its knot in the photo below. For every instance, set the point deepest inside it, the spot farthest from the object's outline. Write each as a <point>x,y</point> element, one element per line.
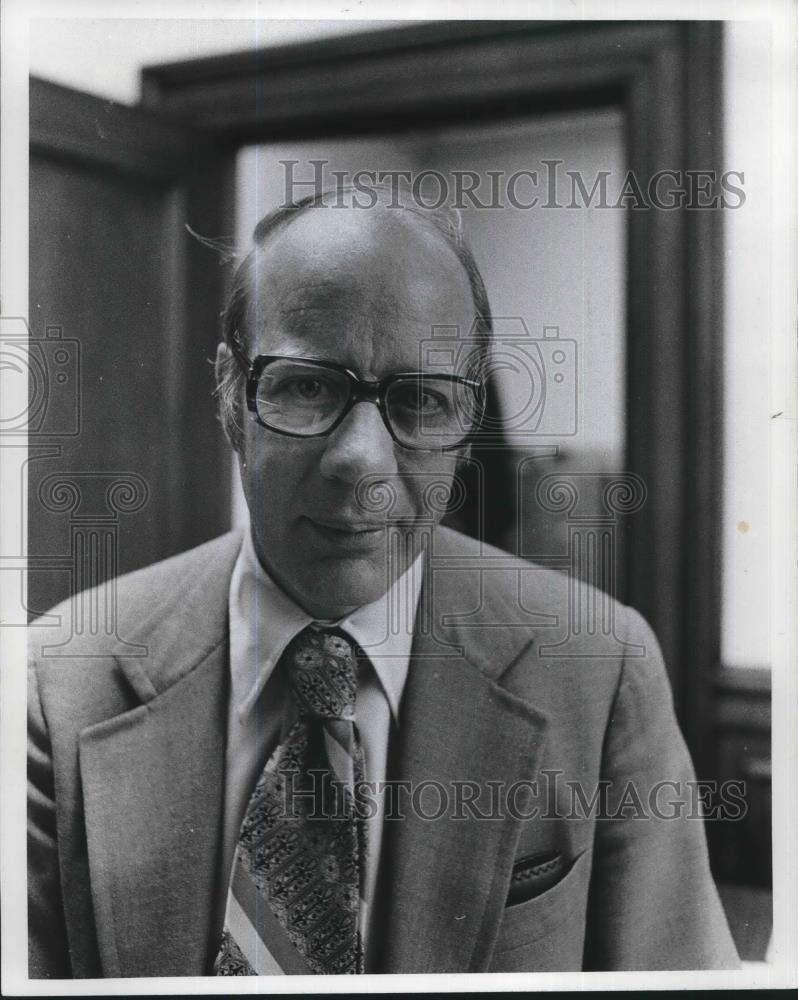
<point>295,902</point>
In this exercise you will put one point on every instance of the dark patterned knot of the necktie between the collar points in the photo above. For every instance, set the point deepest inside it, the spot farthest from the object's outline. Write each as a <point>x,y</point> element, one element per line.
<point>322,670</point>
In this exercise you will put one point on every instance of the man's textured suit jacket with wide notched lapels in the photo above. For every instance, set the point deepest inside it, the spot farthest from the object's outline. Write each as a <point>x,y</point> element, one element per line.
<point>126,770</point>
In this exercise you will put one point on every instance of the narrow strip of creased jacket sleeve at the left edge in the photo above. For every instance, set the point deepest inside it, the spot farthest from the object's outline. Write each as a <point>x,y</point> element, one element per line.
<point>48,951</point>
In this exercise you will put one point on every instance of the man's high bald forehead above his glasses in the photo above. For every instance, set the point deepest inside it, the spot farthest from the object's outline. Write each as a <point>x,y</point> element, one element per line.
<point>362,287</point>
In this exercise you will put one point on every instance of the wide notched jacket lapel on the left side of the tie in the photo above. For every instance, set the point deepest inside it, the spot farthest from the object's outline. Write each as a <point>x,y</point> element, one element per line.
<point>153,844</point>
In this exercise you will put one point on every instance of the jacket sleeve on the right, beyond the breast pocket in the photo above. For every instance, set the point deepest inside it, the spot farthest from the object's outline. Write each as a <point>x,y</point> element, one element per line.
<point>653,903</point>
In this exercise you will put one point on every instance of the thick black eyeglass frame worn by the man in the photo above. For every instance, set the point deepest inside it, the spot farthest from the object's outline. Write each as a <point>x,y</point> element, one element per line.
<point>360,390</point>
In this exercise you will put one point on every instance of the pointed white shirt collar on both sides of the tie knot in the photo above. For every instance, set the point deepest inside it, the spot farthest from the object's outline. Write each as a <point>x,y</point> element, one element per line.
<point>264,619</point>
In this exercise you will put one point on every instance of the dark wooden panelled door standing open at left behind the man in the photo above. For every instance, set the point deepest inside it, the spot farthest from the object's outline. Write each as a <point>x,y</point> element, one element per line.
<point>124,309</point>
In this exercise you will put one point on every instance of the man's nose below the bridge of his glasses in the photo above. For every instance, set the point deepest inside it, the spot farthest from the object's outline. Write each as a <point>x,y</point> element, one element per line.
<point>360,446</point>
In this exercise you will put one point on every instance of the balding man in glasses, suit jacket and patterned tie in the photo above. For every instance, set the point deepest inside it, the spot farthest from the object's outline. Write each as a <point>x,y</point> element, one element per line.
<point>347,637</point>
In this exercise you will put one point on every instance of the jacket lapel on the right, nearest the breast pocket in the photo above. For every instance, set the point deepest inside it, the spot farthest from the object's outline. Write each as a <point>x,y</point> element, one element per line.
<point>445,880</point>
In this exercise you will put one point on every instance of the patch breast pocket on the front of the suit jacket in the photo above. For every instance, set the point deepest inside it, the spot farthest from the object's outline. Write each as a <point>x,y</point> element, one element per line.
<point>546,933</point>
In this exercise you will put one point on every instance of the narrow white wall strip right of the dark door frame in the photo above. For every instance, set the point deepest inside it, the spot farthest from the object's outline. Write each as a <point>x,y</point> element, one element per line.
<point>748,298</point>
